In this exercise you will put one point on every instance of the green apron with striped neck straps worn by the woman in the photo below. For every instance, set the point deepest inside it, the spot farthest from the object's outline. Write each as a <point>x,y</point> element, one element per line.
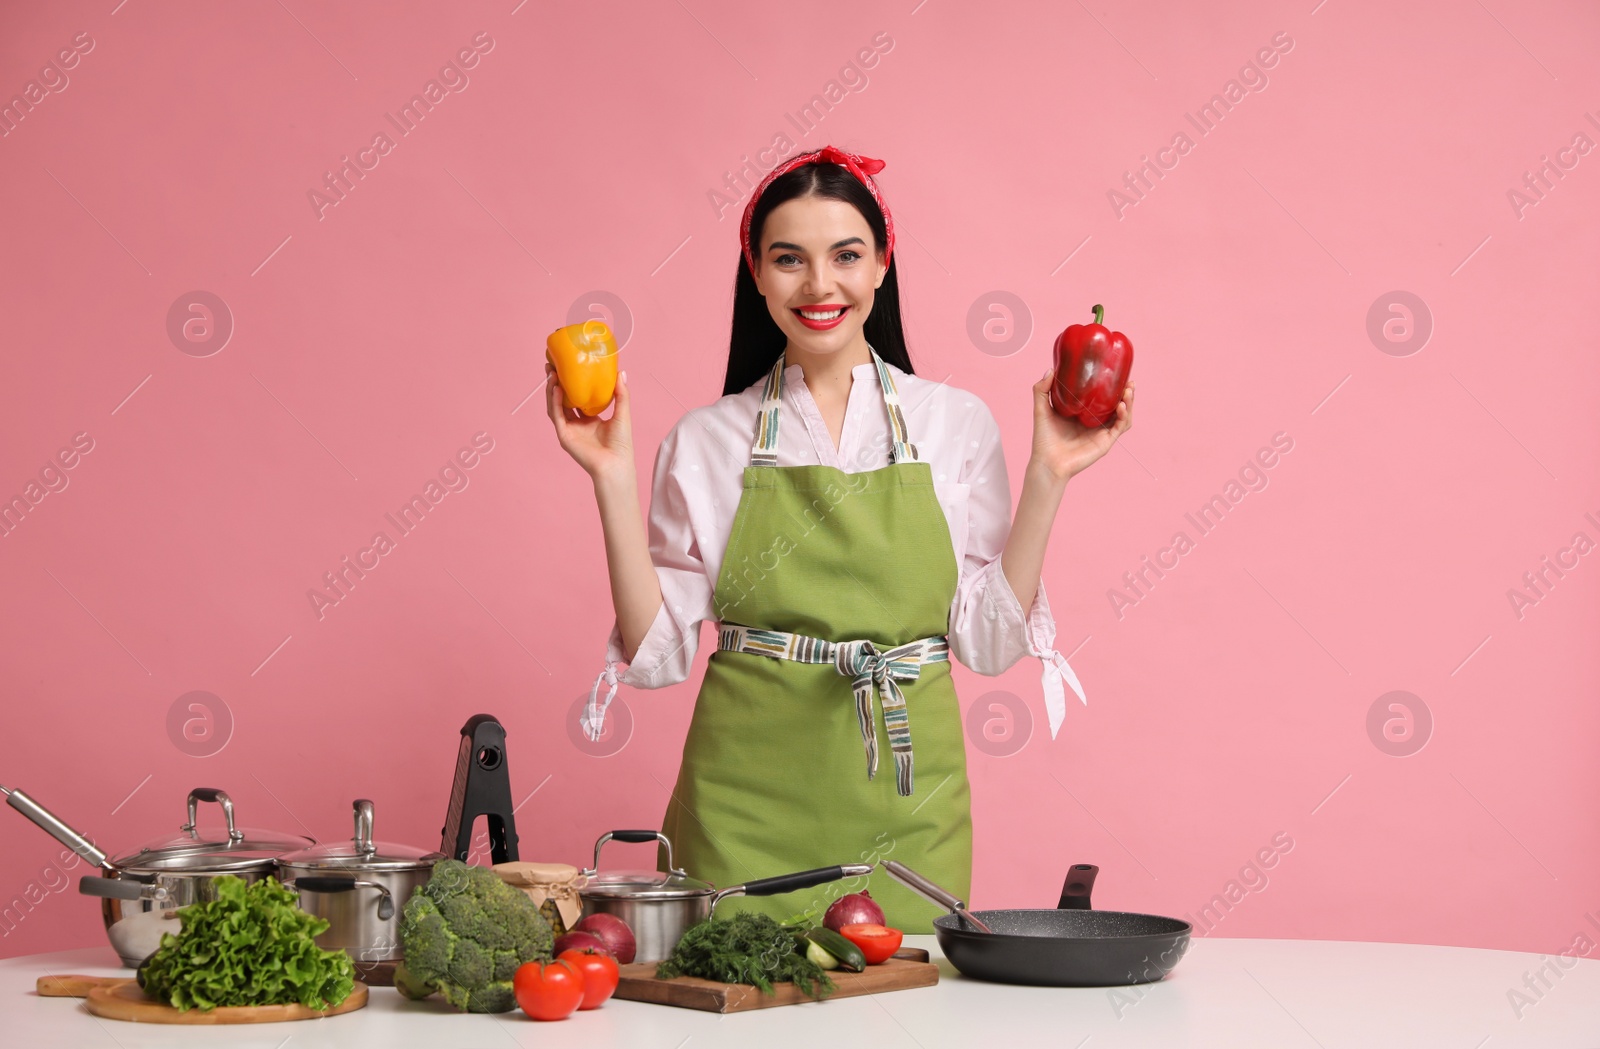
<point>774,776</point>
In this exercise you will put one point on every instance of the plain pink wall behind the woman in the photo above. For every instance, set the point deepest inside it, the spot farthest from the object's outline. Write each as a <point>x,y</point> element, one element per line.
<point>1231,706</point>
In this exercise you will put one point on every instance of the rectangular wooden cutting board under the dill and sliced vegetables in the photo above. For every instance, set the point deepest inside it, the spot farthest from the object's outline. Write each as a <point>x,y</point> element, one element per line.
<point>908,968</point>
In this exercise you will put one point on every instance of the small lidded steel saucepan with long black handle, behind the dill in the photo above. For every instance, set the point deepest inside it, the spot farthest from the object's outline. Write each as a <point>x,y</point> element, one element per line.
<point>662,906</point>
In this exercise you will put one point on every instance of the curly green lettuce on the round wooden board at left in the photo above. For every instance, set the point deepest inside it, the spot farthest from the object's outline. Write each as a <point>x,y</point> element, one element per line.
<point>252,946</point>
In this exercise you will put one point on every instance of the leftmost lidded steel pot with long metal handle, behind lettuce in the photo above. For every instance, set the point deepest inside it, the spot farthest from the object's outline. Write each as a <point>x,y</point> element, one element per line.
<point>142,891</point>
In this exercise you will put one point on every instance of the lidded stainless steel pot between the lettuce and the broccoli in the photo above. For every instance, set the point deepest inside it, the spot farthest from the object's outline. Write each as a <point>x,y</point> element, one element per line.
<point>359,887</point>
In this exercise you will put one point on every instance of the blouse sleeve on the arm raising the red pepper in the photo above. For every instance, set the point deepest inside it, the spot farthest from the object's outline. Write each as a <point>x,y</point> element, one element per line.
<point>990,631</point>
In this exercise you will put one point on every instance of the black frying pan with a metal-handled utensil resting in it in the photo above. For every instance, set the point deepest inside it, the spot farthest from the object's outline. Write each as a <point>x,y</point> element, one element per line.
<point>1066,947</point>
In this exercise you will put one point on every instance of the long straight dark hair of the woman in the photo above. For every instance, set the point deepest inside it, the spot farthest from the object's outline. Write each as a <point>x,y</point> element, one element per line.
<point>758,341</point>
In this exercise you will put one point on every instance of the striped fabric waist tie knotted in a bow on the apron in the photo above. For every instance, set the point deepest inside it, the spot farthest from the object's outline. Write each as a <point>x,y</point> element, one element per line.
<point>873,671</point>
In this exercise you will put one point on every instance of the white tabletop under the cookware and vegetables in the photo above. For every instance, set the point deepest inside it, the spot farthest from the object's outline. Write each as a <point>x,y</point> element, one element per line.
<point>1225,992</point>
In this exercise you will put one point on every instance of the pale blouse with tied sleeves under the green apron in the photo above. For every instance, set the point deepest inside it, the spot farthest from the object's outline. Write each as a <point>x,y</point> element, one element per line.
<point>700,477</point>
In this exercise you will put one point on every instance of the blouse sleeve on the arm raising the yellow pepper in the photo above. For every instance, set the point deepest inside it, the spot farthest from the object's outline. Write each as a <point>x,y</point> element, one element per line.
<point>666,655</point>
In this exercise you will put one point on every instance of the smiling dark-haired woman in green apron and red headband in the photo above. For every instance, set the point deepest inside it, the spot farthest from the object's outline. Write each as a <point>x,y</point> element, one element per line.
<point>847,527</point>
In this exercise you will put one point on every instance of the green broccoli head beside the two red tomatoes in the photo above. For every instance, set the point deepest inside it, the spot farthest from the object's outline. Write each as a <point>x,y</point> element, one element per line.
<point>465,935</point>
